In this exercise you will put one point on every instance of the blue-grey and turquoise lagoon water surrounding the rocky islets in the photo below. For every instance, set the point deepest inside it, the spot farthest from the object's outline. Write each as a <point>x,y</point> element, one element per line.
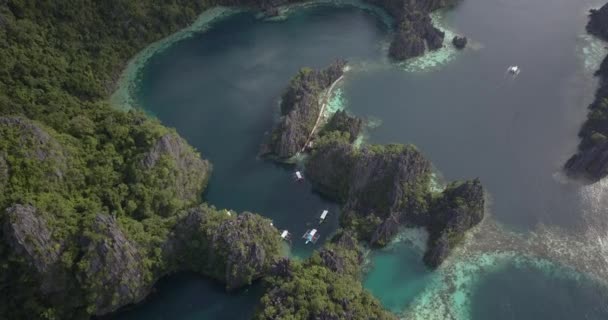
<point>220,87</point>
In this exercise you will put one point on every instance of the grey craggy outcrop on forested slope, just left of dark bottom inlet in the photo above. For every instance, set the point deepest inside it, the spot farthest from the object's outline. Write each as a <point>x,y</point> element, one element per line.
<point>112,267</point>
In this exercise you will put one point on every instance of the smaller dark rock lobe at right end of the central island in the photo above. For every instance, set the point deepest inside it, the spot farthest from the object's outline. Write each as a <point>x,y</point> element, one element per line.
<point>460,207</point>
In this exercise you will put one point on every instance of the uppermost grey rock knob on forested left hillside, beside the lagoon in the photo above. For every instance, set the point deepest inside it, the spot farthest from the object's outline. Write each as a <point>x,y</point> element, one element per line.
<point>190,171</point>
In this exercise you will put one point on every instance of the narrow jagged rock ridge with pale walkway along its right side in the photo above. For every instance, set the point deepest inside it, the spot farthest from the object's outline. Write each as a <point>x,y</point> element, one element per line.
<point>301,106</point>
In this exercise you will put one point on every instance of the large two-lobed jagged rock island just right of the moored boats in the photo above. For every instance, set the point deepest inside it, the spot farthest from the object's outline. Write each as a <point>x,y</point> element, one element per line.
<point>385,187</point>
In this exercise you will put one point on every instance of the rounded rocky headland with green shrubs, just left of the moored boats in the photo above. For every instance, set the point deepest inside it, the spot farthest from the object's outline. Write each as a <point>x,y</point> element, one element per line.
<point>234,249</point>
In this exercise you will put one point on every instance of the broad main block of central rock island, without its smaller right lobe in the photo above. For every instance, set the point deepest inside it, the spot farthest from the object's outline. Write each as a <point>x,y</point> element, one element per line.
<point>376,183</point>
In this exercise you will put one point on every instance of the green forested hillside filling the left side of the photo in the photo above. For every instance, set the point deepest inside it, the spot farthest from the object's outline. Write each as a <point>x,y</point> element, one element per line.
<point>89,195</point>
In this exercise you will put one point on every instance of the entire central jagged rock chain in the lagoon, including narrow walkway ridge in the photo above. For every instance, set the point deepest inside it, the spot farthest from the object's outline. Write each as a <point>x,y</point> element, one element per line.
<point>381,187</point>
